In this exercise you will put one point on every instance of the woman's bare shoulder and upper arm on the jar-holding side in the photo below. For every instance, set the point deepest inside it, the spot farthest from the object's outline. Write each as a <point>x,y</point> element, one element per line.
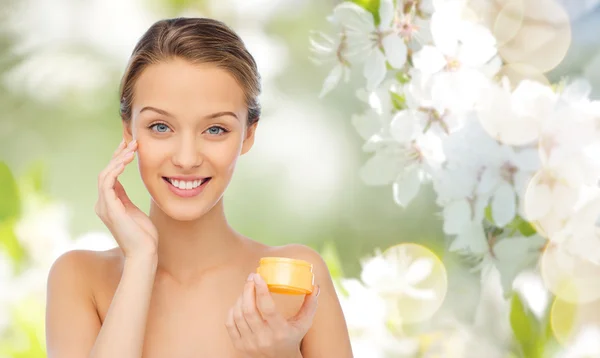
<point>328,335</point>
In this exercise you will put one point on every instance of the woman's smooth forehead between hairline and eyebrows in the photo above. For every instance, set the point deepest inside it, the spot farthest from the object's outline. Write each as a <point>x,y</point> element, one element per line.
<point>179,87</point>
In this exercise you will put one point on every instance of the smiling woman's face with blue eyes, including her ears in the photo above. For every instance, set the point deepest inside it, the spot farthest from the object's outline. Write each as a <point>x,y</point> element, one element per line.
<point>190,124</point>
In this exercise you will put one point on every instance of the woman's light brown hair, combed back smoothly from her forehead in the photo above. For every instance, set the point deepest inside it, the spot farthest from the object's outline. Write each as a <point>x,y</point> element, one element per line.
<point>198,40</point>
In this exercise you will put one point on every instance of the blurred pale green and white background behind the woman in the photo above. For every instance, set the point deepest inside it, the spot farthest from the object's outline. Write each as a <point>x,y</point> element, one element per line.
<point>60,65</point>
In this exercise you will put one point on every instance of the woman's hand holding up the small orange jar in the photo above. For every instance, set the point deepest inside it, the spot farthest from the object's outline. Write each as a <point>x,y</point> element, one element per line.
<point>259,330</point>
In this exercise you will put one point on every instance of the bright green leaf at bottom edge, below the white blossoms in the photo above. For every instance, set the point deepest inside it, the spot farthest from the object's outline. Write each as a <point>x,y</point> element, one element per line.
<point>526,328</point>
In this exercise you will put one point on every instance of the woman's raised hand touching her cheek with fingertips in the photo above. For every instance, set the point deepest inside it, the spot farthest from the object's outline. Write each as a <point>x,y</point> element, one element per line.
<point>131,228</point>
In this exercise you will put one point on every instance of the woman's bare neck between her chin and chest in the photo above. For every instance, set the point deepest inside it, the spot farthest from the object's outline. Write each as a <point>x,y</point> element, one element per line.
<point>186,249</point>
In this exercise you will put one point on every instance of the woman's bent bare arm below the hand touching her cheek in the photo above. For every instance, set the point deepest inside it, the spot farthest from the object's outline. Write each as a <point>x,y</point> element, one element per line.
<point>73,328</point>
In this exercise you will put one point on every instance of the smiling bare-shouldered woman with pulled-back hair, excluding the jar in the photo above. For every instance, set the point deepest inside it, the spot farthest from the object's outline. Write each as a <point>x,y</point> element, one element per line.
<point>180,284</point>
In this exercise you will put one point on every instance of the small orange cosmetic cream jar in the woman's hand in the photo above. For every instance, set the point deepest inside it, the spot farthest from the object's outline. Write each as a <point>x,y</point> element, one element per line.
<point>287,276</point>
